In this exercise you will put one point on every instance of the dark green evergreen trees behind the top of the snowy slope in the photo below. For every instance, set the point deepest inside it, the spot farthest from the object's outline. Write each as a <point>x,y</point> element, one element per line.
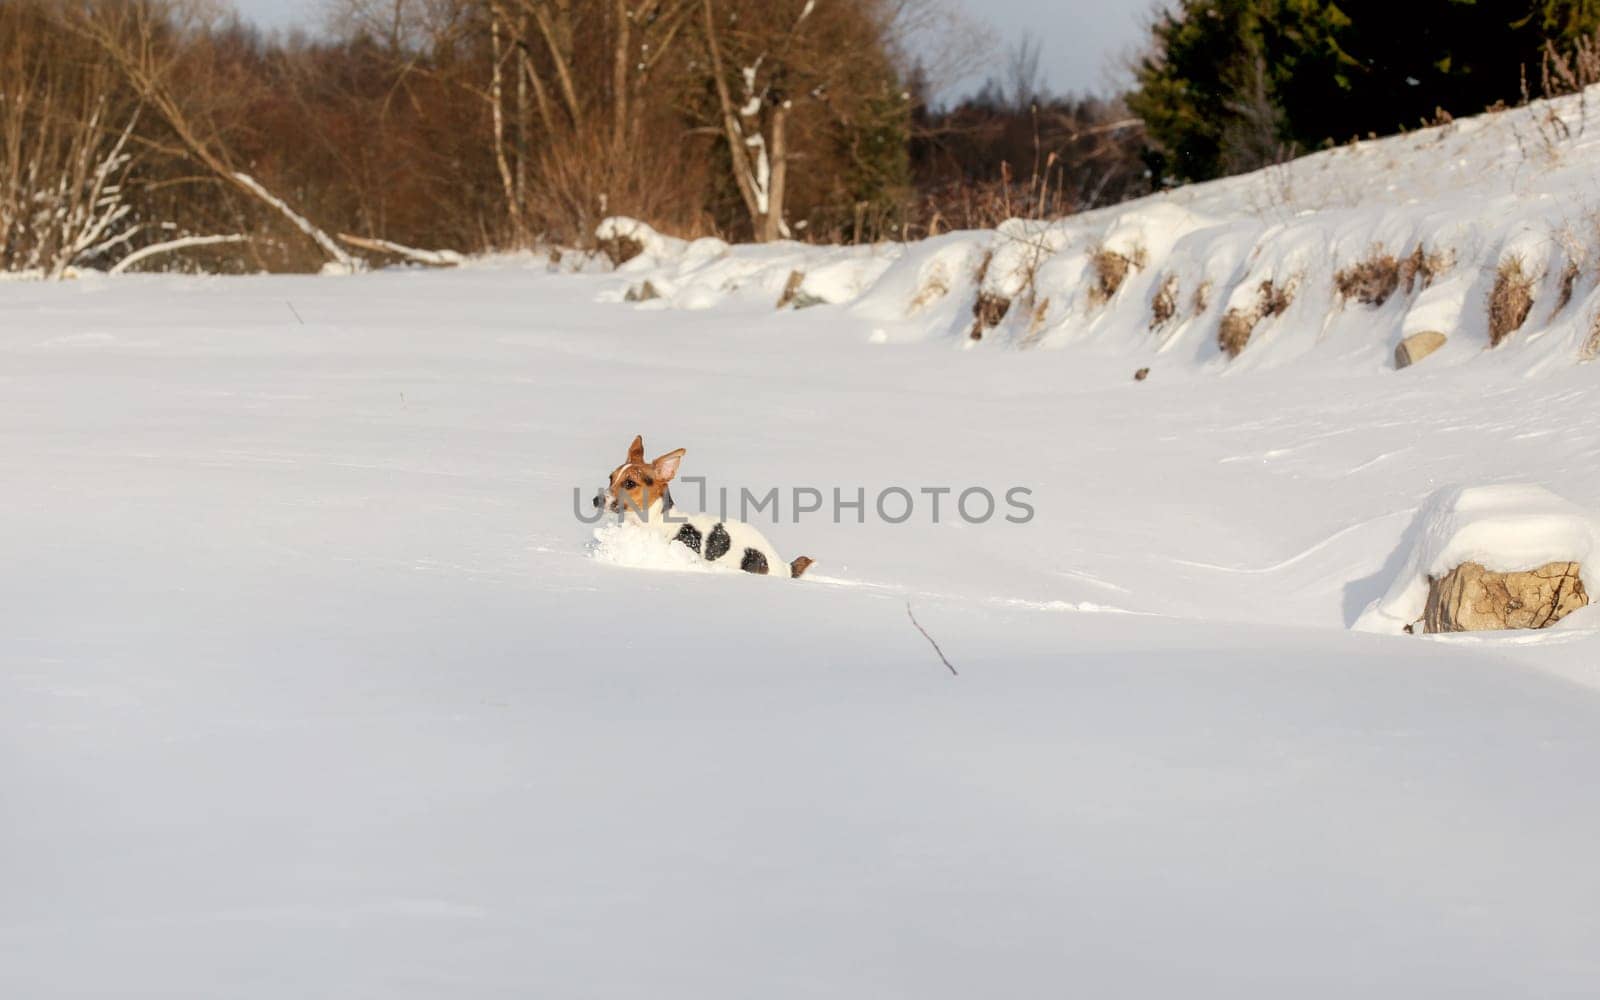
<point>1231,84</point>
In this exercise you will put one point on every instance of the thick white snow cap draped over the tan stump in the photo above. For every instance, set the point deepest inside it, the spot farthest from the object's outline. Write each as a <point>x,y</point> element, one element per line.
<point>1505,529</point>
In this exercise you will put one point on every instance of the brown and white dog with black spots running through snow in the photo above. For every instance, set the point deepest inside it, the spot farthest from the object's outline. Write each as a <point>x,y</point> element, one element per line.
<point>639,492</point>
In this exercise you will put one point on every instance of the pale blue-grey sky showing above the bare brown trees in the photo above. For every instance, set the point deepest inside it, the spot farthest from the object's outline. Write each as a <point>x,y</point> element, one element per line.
<point>1082,39</point>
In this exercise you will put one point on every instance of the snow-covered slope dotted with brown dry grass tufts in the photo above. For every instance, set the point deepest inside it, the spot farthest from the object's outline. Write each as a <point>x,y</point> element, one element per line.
<point>1329,262</point>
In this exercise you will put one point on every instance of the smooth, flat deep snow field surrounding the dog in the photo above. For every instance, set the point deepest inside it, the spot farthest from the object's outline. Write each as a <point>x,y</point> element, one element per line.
<point>313,684</point>
